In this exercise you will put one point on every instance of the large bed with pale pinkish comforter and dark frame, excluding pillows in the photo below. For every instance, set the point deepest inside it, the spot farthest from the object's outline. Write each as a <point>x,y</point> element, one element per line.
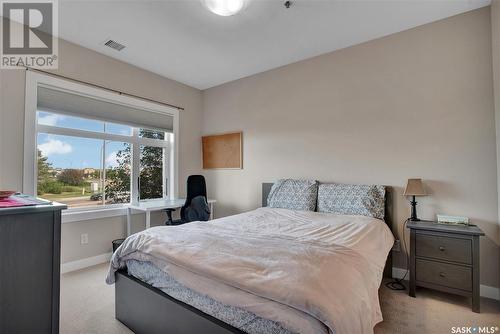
<point>179,286</point>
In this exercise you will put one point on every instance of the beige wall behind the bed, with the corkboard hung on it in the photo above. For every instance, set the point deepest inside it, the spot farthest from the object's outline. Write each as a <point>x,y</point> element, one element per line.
<point>414,104</point>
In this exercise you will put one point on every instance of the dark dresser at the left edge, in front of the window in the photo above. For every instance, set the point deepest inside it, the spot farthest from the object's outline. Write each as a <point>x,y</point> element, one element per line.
<point>30,244</point>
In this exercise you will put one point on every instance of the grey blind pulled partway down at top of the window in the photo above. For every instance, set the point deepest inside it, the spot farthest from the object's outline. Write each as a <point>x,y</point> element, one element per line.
<point>82,106</point>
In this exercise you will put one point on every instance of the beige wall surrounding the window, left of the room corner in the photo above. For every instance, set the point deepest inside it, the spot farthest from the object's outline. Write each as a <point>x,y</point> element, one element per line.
<point>84,64</point>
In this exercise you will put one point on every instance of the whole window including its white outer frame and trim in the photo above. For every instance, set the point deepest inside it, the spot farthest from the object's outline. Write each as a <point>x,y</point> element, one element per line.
<point>89,148</point>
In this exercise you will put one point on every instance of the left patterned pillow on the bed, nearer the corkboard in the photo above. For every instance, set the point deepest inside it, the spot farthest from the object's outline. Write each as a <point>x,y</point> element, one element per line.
<point>293,195</point>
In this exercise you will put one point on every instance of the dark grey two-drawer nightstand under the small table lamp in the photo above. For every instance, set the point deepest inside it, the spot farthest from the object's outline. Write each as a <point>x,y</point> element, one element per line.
<point>446,258</point>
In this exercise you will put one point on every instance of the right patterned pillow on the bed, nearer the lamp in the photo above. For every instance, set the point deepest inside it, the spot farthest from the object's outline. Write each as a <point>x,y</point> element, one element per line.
<point>352,199</point>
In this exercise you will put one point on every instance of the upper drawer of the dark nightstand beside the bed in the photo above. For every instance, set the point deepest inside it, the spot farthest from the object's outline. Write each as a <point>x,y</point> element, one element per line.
<point>444,248</point>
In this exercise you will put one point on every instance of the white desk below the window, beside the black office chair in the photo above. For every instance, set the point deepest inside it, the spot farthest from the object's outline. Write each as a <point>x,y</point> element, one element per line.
<point>158,205</point>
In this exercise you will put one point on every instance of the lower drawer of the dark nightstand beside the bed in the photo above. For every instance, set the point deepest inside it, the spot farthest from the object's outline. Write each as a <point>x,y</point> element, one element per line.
<point>449,275</point>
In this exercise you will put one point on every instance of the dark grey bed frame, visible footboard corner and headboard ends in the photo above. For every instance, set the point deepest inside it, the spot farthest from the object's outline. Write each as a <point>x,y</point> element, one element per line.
<point>148,310</point>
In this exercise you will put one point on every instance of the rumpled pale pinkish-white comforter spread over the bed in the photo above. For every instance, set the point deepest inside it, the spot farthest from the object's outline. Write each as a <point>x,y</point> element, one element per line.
<point>287,266</point>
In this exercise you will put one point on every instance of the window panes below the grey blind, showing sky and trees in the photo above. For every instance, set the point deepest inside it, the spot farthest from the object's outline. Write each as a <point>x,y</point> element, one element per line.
<point>79,170</point>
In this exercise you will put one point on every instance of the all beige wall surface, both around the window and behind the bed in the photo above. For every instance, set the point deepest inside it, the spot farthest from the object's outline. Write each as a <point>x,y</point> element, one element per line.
<point>415,104</point>
